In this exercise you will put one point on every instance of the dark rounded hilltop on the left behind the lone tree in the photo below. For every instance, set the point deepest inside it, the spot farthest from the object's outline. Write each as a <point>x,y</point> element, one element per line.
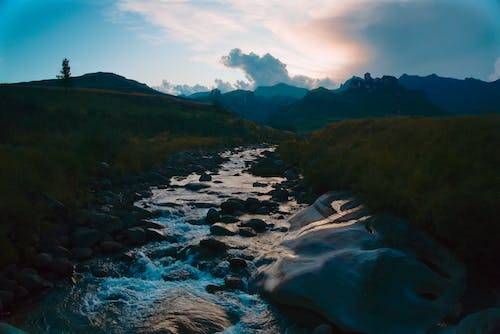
<point>98,80</point>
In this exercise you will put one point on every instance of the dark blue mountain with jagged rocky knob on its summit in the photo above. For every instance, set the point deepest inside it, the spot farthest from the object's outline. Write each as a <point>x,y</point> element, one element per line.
<point>358,98</point>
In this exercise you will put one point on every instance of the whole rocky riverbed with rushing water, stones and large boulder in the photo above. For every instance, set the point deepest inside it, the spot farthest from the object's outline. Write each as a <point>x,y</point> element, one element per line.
<point>229,242</point>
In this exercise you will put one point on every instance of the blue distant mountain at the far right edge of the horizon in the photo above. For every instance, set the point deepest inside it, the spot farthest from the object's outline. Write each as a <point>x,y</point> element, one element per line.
<point>469,96</point>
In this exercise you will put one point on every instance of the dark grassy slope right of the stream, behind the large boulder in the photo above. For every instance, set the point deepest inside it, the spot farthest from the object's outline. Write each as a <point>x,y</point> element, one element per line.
<point>441,173</point>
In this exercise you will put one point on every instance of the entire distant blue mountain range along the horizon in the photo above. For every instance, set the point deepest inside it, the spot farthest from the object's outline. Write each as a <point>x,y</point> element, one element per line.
<point>293,108</point>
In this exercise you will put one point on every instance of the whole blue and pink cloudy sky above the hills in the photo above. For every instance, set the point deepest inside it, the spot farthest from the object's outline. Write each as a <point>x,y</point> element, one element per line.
<point>185,46</point>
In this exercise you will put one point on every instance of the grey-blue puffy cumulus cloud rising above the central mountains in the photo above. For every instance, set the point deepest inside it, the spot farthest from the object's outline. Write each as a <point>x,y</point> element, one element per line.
<point>267,70</point>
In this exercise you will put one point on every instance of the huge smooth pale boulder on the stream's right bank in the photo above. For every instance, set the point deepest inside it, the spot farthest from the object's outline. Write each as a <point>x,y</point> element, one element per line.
<point>377,275</point>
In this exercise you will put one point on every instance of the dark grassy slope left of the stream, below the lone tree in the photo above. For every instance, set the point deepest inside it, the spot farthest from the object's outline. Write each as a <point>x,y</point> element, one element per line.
<point>52,142</point>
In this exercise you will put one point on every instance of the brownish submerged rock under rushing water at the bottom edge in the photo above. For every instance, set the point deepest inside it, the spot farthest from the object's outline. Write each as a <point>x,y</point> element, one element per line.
<point>183,313</point>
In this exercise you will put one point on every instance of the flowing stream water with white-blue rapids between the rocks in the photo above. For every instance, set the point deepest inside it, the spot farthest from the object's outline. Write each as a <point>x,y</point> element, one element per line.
<point>139,294</point>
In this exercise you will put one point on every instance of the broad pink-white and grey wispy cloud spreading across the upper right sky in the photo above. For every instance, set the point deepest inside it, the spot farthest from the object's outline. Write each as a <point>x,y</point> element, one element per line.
<point>324,38</point>
